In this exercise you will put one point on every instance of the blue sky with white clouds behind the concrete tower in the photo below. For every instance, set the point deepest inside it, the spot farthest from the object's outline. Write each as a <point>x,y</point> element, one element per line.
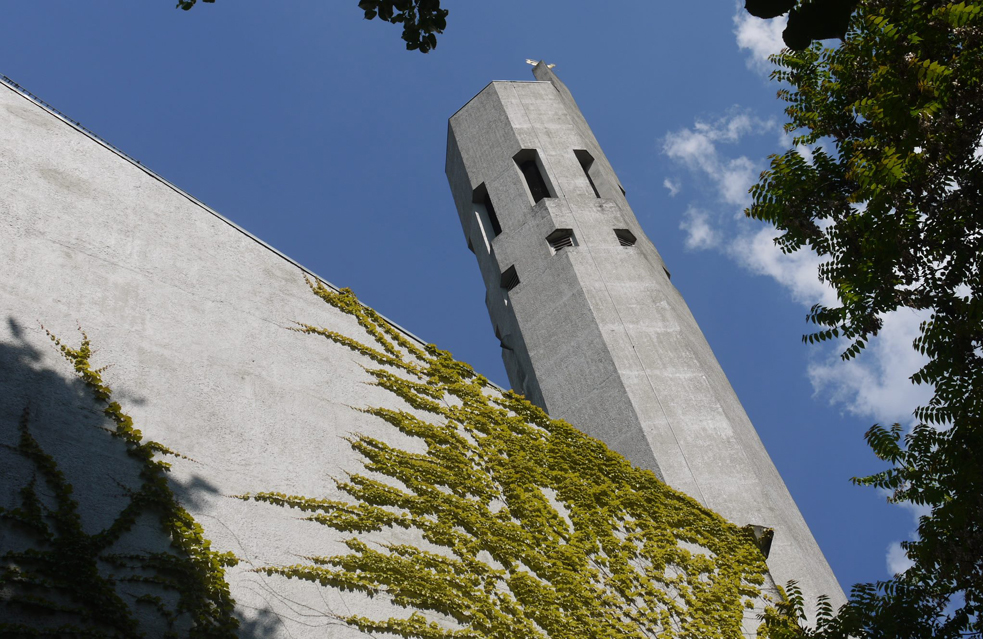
<point>316,131</point>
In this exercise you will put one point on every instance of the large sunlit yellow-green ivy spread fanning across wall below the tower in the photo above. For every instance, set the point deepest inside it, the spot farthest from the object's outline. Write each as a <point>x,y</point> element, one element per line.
<point>526,527</point>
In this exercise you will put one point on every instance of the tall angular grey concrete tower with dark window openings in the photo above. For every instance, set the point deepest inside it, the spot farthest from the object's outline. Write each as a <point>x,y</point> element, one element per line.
<point>591,328</point>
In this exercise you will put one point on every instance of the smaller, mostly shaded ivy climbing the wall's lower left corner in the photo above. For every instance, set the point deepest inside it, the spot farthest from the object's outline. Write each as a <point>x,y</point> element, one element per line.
<point>70,582</point>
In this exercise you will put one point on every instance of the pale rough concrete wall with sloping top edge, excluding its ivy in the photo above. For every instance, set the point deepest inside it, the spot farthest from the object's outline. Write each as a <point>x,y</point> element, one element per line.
<point>192,317</point>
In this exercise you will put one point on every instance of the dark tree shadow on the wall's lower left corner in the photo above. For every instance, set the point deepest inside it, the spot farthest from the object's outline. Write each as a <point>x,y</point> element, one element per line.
<point>80,548</point>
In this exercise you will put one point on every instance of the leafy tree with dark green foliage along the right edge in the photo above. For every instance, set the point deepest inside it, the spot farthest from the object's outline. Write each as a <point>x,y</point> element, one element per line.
<point>891,198</point>
